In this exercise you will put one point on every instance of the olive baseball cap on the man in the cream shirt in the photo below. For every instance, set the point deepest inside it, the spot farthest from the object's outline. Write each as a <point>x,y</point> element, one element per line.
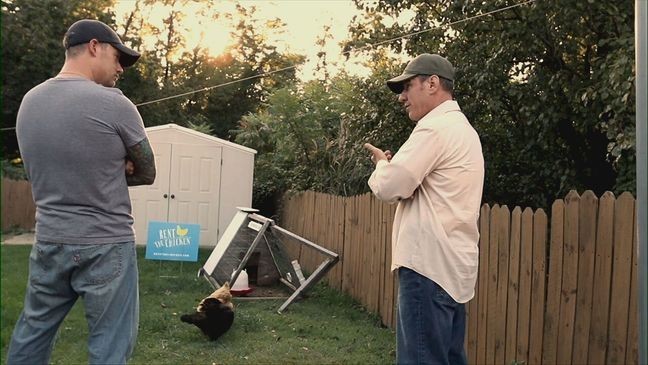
<point>425,64</point>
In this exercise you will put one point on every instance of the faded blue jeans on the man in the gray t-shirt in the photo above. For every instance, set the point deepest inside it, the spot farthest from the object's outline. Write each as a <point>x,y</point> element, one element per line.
<point>105,276</point>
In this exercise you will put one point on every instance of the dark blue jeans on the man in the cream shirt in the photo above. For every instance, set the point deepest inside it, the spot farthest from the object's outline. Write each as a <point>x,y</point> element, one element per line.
<point>430,327</point>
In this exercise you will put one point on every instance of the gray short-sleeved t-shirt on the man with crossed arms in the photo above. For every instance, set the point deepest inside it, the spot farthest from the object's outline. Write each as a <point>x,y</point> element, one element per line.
<point>72,134</point>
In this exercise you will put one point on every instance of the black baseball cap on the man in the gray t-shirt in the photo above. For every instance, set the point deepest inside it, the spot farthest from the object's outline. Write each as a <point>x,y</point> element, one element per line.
<point>83,31</point>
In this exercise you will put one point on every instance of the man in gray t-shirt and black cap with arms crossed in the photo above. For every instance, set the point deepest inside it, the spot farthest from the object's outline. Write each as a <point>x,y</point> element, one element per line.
<point>83,143</point>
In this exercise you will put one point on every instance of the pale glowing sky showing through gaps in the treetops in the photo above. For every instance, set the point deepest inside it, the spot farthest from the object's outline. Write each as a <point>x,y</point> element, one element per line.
<point>299,36</point>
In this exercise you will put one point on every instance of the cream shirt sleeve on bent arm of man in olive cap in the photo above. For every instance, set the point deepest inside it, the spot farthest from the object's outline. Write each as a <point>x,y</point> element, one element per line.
<point>417,157</point>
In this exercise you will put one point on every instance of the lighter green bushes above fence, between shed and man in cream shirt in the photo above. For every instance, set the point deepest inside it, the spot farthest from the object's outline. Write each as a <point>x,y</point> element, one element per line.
<point>311,136</point>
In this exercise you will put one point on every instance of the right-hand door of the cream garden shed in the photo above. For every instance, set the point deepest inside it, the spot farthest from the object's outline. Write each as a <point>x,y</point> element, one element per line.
<point>195,188</point>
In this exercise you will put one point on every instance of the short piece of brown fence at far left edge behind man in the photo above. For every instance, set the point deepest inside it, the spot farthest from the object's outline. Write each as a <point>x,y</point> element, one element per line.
<point>18,209</point>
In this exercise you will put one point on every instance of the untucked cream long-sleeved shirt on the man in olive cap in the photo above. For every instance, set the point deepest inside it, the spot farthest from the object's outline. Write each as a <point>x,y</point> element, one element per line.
<point>437,178</point>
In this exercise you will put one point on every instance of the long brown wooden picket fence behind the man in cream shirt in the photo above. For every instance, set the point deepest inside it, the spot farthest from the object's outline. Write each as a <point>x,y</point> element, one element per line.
<point>558,293</point>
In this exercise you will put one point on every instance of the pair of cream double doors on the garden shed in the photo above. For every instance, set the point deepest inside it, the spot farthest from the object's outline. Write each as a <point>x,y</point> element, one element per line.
<point>186,190</point>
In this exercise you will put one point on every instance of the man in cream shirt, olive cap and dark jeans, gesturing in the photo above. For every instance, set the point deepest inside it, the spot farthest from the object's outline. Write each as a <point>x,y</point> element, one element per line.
<point>437,179</point>
